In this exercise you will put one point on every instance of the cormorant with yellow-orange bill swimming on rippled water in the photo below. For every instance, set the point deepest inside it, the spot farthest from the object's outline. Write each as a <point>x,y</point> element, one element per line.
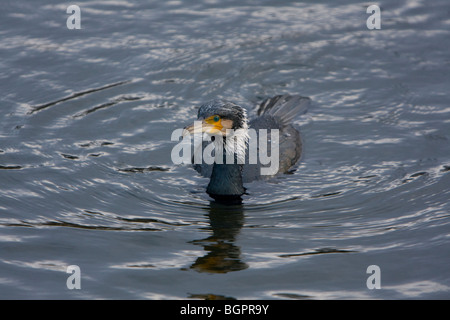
<point>228,127</point>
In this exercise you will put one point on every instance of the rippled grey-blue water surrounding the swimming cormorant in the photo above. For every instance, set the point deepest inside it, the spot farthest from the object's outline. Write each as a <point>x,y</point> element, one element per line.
<point>85,171</point>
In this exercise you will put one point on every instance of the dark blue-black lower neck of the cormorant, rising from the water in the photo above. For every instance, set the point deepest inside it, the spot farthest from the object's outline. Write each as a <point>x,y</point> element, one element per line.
<point>226,179</point>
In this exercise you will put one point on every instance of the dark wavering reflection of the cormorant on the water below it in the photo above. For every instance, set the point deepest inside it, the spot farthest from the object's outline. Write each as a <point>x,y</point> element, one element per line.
<point>222,254</point>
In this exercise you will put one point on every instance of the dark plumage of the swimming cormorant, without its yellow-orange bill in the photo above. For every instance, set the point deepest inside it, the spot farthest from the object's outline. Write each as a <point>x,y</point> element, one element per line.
<point>226,180</point>
